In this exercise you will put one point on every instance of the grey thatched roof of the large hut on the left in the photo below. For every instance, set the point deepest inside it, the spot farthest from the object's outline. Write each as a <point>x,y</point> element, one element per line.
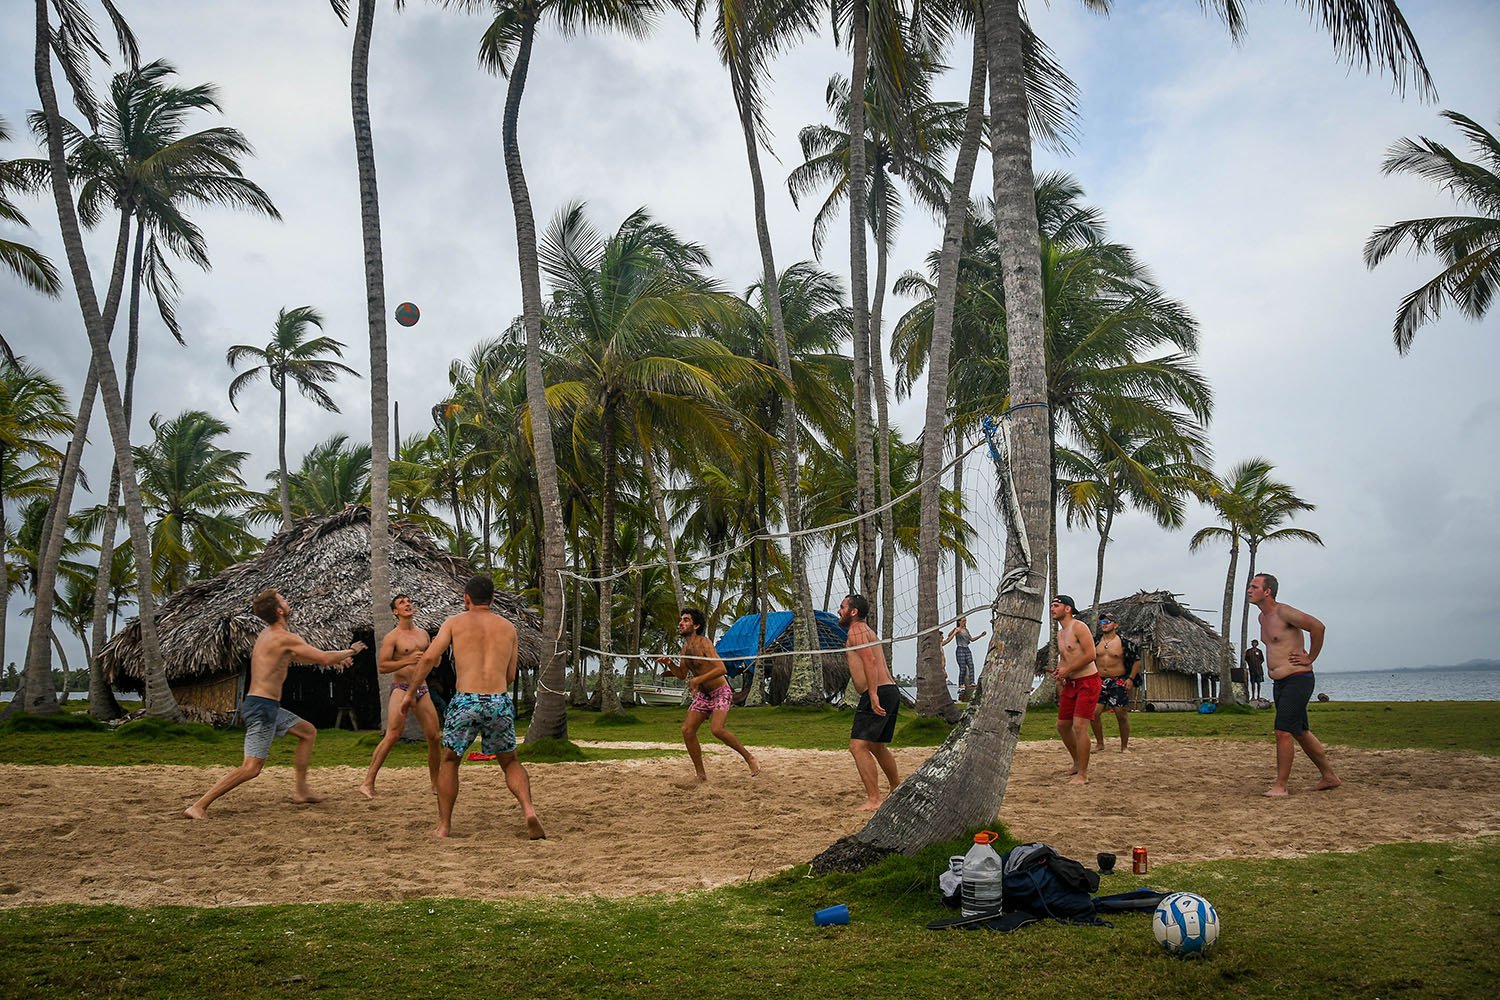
<point>322,566</point>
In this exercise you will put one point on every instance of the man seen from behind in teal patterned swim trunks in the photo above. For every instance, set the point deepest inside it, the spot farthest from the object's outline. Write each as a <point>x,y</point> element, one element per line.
<point>485,662</point>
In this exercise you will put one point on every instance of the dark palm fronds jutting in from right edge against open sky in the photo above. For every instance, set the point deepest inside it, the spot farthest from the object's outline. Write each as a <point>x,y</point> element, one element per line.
<point>1469,247</point>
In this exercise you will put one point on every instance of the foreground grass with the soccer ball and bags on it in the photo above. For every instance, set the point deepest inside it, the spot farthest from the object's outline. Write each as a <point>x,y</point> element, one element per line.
<point>1393,920</point>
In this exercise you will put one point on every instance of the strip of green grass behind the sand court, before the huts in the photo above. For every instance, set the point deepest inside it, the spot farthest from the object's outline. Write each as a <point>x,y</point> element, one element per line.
<point>1469,726</point>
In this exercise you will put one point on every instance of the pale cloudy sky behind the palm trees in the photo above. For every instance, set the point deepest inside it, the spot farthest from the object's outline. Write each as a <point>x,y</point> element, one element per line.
<point>1247,178</point>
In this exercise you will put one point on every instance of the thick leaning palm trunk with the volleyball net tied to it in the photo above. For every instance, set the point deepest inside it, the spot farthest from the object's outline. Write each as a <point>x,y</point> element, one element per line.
<point>964,783</point>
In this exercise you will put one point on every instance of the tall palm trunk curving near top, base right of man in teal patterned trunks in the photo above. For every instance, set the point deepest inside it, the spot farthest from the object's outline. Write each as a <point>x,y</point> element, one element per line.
<point>551,716</point>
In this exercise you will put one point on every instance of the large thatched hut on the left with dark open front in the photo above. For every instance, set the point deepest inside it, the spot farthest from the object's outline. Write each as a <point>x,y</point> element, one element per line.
<point>322,566</point>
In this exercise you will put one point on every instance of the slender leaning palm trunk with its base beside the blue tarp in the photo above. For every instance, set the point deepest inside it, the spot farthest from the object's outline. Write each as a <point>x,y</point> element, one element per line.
<point>806,684</point>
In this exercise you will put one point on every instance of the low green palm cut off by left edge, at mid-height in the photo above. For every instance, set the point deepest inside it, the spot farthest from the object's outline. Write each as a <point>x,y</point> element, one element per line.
<point>34,410</point>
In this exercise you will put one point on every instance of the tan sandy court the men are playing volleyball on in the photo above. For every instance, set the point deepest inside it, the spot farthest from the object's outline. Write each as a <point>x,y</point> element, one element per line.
<point>74,834</point>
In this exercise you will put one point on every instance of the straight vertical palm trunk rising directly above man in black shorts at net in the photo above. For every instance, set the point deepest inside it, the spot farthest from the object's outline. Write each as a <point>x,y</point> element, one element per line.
<point>860,295</point>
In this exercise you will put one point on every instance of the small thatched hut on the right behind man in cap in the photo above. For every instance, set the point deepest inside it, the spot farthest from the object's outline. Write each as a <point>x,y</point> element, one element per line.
<point>1180,651</point>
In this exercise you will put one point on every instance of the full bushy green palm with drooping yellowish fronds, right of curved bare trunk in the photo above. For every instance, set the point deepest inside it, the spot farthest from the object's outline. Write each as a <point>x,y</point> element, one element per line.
<point>623,311</point>
